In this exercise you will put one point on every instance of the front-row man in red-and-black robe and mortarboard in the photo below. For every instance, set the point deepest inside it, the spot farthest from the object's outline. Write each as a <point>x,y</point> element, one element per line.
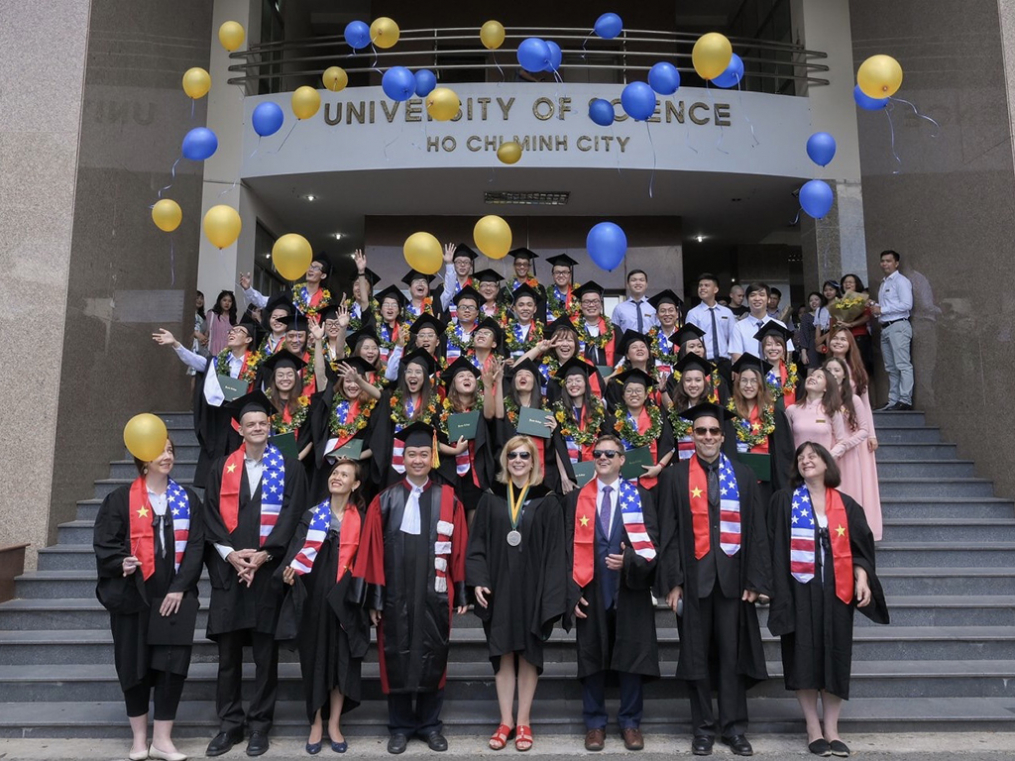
<point>413,560</point>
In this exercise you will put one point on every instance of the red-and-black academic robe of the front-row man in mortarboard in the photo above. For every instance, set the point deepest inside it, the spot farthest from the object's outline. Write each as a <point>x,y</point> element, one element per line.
<point>414,640</point>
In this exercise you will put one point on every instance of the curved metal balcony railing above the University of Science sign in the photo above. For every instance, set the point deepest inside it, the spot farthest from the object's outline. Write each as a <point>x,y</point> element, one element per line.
<point>456,55</point>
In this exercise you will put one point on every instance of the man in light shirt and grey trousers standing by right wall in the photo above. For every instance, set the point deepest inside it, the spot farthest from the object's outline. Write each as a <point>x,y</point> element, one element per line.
<point>893,311</point>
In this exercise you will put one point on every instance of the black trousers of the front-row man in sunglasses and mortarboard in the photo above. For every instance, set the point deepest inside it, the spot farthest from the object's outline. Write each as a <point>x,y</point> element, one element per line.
<point>720,626</point>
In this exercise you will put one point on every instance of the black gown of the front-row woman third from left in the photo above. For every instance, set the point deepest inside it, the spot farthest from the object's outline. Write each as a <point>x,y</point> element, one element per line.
<point>331,627</point>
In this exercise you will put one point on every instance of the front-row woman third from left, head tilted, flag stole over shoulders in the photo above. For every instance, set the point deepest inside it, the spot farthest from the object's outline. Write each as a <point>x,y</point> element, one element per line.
<point>334,631</point>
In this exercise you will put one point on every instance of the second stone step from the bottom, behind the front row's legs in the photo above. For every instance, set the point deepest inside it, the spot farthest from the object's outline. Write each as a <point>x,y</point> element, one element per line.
<point>891,679</point>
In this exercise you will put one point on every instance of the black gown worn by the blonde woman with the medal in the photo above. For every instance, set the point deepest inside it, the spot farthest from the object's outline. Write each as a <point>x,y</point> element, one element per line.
<point>528,582</point>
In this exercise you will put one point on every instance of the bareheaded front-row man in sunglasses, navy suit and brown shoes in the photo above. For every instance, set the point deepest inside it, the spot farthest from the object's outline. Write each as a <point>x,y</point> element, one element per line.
<point>613,539</point>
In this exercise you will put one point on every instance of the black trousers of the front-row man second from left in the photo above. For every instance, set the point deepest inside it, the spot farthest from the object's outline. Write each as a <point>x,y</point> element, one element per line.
<point>231,671</point>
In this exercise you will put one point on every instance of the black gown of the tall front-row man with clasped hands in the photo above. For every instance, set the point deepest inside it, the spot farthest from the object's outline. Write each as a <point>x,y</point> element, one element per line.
<point>236,607</point>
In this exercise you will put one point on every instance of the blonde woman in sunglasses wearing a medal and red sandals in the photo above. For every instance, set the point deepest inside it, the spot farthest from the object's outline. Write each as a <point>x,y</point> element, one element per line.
<point>517,565</point>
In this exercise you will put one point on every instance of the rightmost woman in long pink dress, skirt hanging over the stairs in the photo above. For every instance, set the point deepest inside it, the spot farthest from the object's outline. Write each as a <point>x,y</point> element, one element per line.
<point>859,471</point>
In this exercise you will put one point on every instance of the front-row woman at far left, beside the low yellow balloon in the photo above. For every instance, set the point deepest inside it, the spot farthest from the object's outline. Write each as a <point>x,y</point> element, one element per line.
<point>150,546</point>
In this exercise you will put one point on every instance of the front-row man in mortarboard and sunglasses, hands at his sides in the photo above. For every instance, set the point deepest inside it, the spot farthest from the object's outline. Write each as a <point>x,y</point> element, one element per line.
<point>715,564</point>
